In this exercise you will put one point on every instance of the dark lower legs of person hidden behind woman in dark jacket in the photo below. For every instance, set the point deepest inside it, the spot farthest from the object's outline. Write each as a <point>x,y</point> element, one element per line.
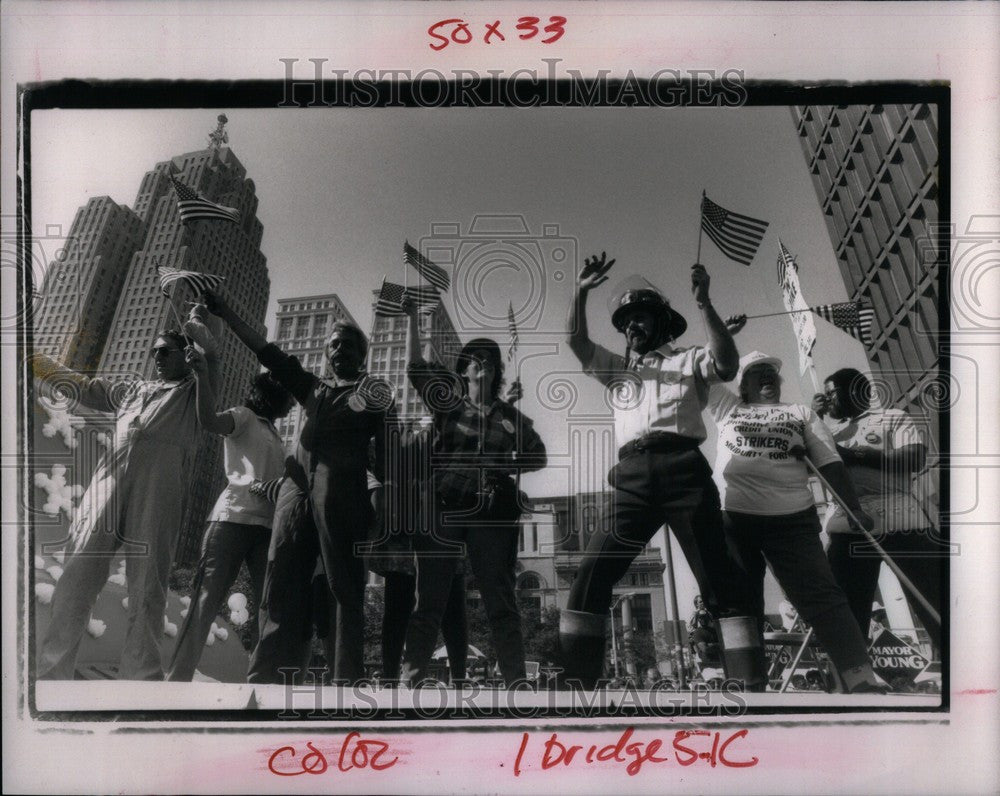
<point>400,600</point>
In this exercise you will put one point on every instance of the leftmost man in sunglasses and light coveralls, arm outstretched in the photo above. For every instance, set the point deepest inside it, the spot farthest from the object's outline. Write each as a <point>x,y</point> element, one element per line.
<point>132,508</point>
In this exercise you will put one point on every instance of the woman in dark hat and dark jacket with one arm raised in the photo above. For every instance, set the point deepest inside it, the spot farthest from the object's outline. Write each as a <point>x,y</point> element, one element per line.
<point>479,442</point>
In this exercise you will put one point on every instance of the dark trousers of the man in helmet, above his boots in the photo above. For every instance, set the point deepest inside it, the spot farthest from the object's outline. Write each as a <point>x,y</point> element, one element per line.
<point>653,488</point>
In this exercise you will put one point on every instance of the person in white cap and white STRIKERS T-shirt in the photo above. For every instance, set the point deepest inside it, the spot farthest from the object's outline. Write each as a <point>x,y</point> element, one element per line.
<point>769,508</point>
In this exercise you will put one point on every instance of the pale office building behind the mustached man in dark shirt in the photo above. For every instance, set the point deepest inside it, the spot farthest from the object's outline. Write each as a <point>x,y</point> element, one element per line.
<point>302,326</point>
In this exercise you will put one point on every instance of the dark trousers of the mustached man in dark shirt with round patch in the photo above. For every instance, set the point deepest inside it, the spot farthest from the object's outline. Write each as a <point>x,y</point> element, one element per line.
<point>329,521</point>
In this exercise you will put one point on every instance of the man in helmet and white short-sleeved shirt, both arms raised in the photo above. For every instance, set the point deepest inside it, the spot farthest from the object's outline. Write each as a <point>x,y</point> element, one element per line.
<point>659,392</point>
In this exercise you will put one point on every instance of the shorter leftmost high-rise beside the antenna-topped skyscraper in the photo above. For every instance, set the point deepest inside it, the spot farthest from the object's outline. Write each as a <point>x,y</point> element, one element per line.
<point>80,292</point>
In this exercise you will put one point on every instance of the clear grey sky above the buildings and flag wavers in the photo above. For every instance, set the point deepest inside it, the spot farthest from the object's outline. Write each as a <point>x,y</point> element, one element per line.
<point>340,190</point>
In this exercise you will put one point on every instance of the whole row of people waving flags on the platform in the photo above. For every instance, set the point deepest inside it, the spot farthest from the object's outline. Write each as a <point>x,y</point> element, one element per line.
<point>364,491</point>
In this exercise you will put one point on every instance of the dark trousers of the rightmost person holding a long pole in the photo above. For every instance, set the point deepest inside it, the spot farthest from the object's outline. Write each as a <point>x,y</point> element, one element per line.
<point>914,552</point>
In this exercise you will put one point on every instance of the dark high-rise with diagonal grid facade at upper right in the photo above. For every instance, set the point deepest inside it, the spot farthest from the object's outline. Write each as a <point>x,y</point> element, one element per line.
<point>875,170</point>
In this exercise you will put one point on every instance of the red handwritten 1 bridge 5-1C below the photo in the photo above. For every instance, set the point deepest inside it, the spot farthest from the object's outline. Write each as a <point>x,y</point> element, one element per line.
<point>635,753</point>
